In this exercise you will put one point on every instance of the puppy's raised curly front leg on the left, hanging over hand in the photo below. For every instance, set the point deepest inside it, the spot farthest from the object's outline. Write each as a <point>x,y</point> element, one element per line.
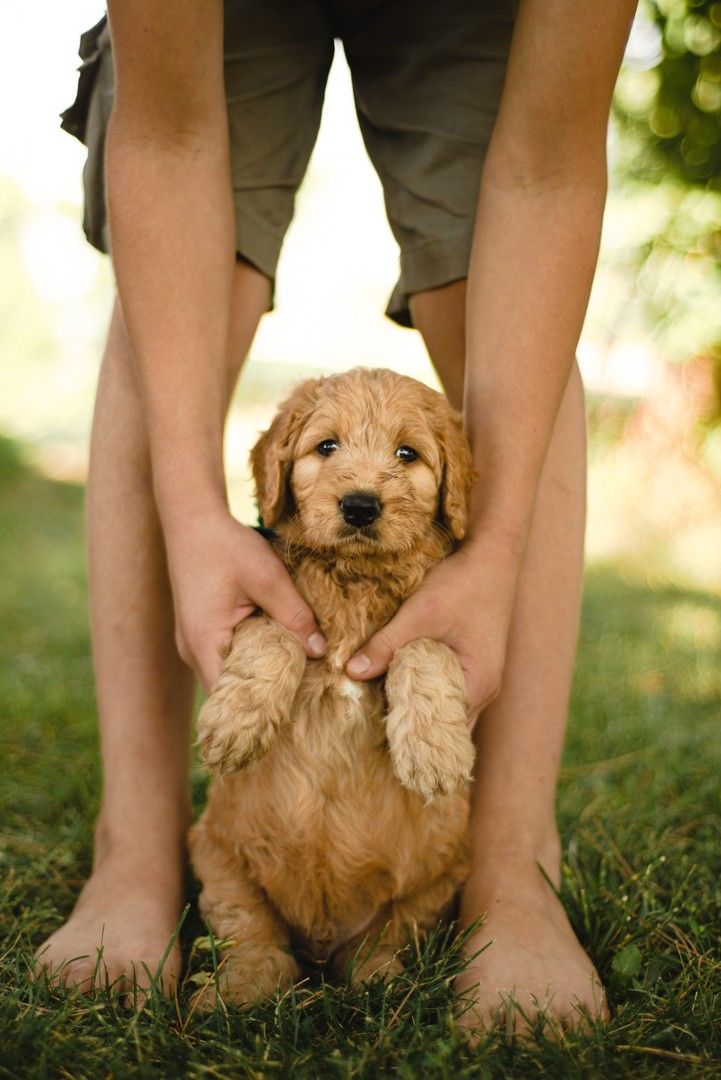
<point>253,697</point>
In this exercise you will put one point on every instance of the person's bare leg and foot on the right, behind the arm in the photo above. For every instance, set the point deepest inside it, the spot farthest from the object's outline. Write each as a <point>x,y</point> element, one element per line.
<point>535,953</point>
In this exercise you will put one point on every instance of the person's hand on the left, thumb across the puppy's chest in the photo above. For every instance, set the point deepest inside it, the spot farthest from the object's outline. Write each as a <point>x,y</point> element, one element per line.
<point>221,573</point>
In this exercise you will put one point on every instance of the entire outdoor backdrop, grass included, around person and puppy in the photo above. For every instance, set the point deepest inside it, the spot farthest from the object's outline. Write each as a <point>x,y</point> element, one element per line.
<point>640,808</point>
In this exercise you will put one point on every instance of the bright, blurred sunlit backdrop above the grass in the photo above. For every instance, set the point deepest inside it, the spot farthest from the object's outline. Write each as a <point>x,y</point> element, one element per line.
<point>650,348</point>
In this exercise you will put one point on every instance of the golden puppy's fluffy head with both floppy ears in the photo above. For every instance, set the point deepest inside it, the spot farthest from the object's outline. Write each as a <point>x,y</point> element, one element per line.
<point>364,462</point>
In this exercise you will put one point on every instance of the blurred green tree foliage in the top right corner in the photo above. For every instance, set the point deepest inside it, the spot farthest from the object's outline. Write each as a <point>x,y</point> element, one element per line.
<point>669,154</point>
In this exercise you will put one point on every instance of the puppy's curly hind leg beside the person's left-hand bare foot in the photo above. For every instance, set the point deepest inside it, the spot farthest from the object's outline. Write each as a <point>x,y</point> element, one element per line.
<point>259,963</point>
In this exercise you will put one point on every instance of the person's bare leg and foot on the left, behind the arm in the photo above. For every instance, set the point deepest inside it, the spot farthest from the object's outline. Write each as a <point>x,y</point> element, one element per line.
<point>133,899</point>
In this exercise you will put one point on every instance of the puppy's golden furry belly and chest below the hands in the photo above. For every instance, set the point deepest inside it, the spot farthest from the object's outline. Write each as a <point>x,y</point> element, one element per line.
<point>324,826</point>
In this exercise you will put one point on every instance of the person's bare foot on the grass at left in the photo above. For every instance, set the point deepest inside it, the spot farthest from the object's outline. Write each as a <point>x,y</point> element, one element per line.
<point>127,911</point>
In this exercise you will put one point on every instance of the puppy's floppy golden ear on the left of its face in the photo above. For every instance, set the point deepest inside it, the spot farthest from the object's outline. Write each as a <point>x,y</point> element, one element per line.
<point>271,458</point>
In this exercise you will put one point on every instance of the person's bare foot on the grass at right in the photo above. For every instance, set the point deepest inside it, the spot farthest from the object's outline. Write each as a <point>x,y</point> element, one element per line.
<point>532,956</point>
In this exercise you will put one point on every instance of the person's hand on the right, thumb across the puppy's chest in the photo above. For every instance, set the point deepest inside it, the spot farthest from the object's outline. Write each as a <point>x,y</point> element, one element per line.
<point>466,602</point>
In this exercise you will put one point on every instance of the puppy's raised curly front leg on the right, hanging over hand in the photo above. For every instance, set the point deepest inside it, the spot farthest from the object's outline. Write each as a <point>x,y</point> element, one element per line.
<point>427,726</point>
